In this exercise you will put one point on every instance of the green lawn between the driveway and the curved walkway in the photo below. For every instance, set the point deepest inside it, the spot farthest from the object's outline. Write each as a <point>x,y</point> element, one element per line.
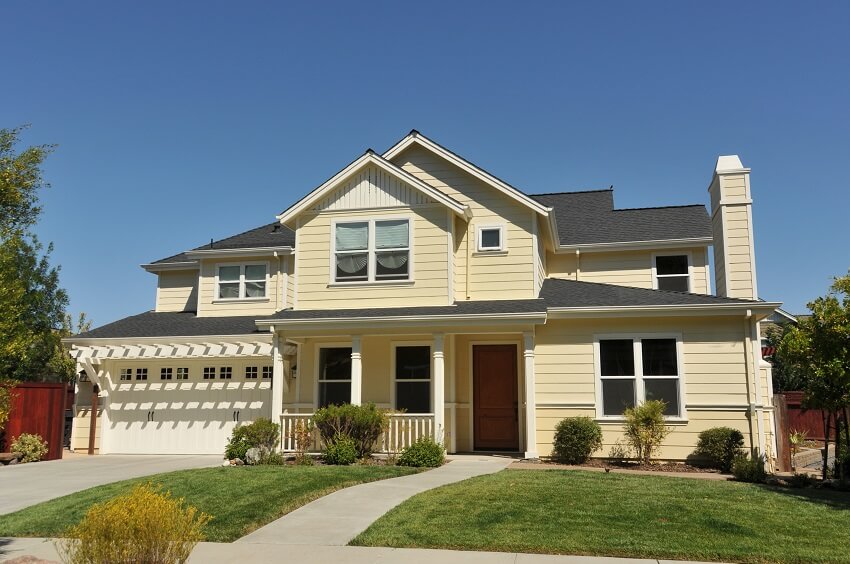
<point>240,499</point>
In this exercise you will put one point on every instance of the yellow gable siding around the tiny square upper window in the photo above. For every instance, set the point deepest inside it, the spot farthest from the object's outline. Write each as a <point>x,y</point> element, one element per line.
<point>508,275</point>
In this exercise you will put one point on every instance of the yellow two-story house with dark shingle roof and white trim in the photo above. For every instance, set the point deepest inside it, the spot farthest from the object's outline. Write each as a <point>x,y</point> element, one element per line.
<point>478,314</point>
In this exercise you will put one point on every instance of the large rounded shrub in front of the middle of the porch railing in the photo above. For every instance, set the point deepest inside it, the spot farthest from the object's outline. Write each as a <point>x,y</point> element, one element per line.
<point>363,423</point>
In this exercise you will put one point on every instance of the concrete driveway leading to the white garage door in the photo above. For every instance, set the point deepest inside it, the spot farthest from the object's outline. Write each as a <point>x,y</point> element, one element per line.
<point>23,485</point>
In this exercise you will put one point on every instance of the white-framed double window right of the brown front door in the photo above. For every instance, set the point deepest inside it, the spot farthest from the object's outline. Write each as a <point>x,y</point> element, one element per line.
<point>631,369</point>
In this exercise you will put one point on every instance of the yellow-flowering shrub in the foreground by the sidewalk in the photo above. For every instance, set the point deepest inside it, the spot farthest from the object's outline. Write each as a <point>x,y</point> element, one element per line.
<point>143,525</point>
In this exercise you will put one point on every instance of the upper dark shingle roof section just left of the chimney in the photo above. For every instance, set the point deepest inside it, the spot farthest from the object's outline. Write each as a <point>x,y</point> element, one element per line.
<point>589,217</point>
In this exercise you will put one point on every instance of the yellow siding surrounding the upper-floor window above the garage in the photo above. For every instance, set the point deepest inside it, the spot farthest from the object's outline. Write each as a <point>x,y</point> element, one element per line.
<point>211,306</point>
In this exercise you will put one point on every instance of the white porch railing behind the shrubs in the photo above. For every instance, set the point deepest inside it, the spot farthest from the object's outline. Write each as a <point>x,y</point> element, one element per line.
<point>404,430</point>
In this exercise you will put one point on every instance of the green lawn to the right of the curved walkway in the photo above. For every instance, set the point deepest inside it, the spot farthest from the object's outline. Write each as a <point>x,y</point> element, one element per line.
<point>591,513</point>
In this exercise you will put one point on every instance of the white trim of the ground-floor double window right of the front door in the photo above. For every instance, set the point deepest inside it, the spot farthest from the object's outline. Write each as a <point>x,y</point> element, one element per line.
<point>640,393</point>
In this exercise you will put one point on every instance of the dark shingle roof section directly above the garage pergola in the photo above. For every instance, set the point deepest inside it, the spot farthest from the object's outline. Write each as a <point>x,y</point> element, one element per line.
<point>172,324</point>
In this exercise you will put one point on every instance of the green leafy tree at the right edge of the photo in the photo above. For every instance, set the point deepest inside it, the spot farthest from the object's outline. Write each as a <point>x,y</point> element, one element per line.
<point>819,347</point>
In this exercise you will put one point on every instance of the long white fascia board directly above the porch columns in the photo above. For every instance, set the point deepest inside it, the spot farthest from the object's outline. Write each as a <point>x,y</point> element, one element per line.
<point>538,318</point>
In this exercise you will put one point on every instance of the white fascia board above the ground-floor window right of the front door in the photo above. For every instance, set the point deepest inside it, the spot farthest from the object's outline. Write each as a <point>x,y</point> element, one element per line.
<point>760,310</point>
